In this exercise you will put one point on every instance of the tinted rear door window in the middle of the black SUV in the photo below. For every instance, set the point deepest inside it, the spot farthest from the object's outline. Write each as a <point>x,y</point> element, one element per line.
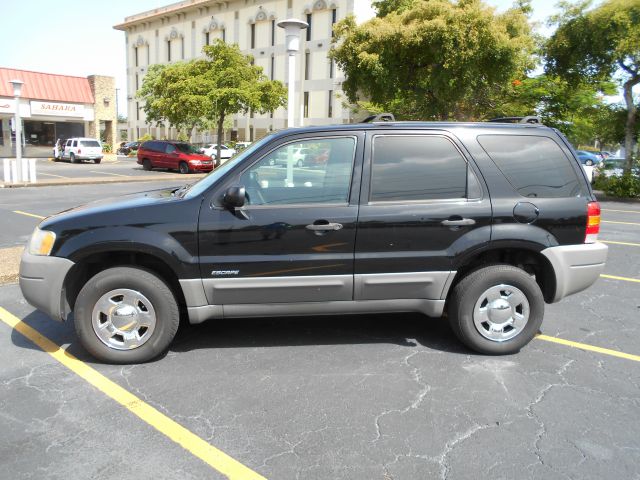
<point>416,167</point>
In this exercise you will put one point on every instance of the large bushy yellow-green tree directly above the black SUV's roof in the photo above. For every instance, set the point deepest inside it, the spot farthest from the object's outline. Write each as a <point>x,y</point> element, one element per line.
<point>433,59</point>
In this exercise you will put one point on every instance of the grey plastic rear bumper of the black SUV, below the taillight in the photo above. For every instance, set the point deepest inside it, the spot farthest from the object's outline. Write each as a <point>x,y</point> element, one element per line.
<point>576,267</point>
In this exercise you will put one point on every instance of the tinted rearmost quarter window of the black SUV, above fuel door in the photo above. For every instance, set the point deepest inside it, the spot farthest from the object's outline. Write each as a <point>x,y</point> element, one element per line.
<point>535,166</point>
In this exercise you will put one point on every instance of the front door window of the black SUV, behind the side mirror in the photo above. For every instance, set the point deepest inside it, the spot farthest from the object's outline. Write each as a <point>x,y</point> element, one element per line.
<point>310,171</point>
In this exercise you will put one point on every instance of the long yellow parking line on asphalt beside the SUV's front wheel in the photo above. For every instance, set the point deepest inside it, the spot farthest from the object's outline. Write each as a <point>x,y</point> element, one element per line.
<point>215,458</point>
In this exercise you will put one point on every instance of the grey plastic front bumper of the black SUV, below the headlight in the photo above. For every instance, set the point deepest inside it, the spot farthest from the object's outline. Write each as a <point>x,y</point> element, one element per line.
<point>42,283</point>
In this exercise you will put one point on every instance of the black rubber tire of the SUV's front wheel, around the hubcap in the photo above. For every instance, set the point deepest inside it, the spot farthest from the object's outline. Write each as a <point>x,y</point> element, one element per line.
<point>156,291</point>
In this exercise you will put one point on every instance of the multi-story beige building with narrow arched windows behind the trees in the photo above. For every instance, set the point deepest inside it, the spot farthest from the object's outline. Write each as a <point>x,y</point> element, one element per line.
<point>179,31</point>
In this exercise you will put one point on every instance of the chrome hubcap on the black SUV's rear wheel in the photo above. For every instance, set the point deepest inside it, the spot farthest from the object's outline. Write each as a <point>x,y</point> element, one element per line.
<point>501,313</point>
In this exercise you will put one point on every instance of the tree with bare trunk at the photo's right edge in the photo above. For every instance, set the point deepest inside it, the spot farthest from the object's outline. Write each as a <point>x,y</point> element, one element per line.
<point>600,44</point>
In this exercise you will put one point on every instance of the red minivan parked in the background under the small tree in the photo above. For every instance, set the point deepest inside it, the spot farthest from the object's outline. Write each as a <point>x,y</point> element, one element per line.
<point>173,155</point>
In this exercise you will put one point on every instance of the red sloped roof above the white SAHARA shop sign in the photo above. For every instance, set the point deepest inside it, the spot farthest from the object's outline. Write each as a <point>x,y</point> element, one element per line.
<point>46,86</point>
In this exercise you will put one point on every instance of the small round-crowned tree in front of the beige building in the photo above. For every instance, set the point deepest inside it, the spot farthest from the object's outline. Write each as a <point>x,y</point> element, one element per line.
<point>201,93</point>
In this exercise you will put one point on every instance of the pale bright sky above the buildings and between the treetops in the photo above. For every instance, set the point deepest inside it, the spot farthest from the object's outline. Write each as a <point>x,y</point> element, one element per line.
<point>76,37</point>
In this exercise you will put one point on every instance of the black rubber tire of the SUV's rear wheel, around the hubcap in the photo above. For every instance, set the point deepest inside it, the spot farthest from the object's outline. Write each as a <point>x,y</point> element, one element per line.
<point>469,291</point>
